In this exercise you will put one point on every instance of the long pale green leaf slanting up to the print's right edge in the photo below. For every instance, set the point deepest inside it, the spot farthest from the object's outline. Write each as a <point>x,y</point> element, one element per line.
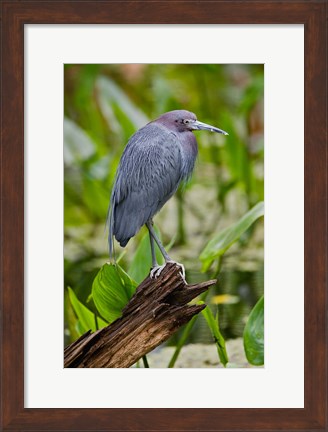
<point>216,247</point>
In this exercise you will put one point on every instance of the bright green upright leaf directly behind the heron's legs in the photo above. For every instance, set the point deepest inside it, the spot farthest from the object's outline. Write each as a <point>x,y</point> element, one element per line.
<point>141,263</point>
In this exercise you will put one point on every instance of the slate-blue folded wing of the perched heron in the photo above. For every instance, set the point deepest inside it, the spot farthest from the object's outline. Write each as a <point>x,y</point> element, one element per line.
<point>148,175</point>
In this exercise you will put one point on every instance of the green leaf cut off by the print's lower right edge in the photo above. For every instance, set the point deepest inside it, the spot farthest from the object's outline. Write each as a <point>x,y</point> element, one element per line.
<point>254,335</point>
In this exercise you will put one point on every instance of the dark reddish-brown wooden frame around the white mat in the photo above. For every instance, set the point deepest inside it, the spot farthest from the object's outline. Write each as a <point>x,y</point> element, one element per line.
<point>17,13</point>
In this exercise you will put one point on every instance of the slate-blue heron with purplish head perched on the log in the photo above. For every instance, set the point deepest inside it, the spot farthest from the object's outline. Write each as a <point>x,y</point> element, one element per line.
<point>156,159</point>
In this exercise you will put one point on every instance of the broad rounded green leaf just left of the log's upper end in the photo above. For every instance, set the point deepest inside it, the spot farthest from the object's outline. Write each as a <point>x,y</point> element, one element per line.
<point>112,288</point>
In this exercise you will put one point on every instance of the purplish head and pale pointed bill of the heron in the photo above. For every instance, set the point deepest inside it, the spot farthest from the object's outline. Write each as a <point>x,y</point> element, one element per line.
<point>183,121</point>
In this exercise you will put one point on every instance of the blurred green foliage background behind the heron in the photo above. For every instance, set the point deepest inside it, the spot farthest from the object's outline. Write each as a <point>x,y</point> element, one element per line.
<point>103,106</point>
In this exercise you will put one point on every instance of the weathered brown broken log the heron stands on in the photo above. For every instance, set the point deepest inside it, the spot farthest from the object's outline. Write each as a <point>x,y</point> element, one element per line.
<point>156,310</point>
